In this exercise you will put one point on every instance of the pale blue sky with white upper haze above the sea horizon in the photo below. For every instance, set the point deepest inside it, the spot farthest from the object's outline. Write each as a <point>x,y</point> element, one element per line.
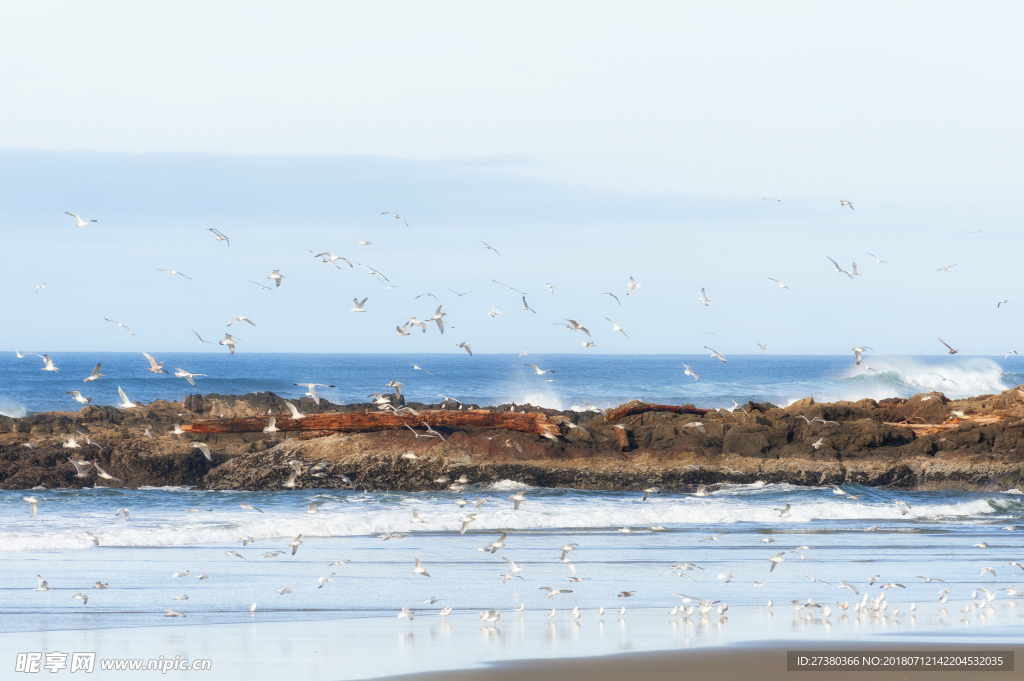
<point>587,143</point>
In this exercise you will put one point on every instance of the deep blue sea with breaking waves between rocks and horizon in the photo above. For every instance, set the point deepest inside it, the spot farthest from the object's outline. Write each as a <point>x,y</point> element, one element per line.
<point>494,379</point>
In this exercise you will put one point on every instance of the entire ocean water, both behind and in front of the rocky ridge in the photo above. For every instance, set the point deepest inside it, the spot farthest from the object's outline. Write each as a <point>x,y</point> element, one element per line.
<point>350,629</point>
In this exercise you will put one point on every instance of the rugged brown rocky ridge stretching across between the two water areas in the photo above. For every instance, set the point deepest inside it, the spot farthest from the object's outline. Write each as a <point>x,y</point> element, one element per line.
<point>925,443</point>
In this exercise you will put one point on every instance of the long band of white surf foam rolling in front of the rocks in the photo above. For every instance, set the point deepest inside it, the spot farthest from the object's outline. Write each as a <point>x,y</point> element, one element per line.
<point>371,518</point>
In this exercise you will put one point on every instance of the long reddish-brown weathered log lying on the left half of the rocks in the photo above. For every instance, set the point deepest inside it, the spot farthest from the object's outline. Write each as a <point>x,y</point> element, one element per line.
<point>538,424</point>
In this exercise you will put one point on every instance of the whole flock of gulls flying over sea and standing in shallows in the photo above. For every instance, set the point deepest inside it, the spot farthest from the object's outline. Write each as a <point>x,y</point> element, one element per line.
<point>690,605</point>
